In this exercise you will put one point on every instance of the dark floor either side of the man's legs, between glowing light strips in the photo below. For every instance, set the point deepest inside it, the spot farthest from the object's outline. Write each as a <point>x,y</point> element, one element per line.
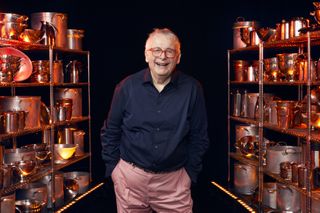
<point>207,199</point>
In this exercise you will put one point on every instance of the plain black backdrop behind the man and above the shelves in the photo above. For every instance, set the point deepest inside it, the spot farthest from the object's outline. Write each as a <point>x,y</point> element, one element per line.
<point>115,33</point>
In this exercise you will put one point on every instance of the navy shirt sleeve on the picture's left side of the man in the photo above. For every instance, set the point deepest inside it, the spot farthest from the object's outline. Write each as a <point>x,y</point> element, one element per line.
<point>110,133</point>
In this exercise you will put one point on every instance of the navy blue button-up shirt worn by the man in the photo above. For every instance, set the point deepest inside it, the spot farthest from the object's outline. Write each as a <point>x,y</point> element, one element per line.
<point>158,131</point>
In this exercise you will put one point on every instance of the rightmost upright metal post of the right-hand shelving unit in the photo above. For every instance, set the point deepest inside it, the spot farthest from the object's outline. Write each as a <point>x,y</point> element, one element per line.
<point>308,146</point>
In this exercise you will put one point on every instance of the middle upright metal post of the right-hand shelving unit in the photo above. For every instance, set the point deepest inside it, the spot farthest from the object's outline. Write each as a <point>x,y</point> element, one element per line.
<point>260,123</point>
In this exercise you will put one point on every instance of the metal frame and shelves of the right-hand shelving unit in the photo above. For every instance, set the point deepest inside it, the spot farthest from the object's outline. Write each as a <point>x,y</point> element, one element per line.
<point>310,198</point>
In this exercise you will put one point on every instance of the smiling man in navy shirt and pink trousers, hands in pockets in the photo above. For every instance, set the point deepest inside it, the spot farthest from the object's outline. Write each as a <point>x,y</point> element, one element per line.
<point>156,132</point>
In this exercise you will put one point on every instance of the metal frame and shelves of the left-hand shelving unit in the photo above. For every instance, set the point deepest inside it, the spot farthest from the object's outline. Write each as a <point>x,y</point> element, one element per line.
<point>47,92</point>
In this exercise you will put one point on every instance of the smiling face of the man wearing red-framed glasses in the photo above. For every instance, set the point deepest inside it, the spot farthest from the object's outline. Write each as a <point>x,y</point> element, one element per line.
<point>162,55</point>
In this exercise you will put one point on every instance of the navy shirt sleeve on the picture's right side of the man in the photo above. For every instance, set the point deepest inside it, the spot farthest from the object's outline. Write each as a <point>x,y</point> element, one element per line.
<point>198,136</point>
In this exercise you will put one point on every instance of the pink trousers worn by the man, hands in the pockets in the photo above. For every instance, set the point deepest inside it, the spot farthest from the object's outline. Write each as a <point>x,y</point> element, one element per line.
<point>138,191</point>
